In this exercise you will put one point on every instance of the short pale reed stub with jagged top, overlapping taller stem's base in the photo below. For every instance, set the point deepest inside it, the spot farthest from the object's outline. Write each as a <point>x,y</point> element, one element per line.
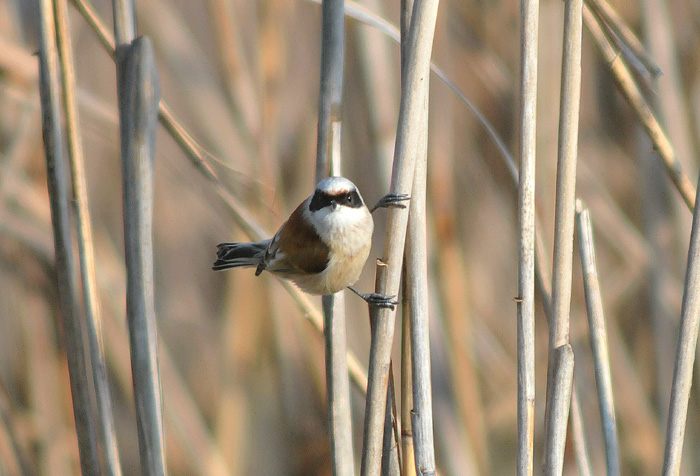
<point>560,381</point>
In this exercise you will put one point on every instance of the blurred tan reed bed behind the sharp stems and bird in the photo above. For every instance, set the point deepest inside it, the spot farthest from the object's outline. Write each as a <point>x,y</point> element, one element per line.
<point>242,370</point>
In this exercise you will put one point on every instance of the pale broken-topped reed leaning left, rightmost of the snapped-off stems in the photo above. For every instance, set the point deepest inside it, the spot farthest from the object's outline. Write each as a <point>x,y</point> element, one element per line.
<point>599,339</point>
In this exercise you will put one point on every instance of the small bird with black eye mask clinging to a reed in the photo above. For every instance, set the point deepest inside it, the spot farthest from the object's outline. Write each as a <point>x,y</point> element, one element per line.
<point>323,245</point>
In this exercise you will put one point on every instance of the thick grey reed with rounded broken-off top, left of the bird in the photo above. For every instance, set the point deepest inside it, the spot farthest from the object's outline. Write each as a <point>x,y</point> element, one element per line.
<point>139,95</point>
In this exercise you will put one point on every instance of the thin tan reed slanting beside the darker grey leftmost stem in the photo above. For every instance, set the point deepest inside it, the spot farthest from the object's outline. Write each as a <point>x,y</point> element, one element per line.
<point>93,315</point>
